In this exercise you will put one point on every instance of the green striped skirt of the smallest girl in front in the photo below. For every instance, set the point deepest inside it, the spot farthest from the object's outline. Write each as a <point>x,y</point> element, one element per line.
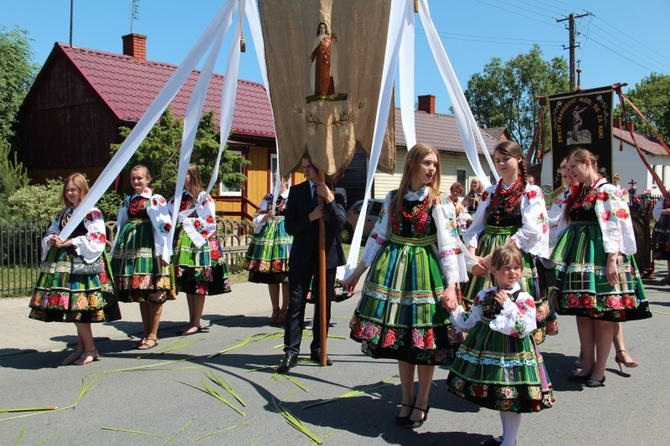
<point>500,372</point>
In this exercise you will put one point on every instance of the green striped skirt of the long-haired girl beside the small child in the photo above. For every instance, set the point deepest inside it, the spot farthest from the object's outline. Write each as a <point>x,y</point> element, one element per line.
<point>399,315</point>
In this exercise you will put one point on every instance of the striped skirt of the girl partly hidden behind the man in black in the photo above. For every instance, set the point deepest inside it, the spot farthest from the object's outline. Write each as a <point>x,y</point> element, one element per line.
<point>268,253</point>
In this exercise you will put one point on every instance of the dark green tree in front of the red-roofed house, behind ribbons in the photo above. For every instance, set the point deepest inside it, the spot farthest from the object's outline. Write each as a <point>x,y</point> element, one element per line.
<point>161,148</point>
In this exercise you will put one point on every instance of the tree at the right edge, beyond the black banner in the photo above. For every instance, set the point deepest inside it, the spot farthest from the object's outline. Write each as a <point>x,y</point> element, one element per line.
<point>652,97</point>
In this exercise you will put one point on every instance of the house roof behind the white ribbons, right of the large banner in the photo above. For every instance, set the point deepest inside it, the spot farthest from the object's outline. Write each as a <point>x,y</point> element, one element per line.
<point>440,131</point>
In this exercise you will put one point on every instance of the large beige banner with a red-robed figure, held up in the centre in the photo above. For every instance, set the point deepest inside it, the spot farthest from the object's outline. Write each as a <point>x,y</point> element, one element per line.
<point>324,64</point>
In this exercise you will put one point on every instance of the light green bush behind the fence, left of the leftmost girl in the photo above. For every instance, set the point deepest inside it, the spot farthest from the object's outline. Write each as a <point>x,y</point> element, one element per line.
<point>38,202</point>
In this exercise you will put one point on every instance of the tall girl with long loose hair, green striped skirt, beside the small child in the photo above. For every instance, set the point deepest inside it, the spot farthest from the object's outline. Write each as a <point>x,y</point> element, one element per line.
<point>416,260</point>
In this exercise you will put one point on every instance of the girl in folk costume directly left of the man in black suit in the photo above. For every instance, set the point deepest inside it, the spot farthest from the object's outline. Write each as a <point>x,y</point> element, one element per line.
<point>267,256</point>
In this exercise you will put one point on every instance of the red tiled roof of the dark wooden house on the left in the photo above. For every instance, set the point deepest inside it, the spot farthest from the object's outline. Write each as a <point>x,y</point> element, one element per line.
<point>128,87</point>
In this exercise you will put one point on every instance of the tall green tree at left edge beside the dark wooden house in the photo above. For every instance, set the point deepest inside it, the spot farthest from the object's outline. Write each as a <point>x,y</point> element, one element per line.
<point>17,74</point>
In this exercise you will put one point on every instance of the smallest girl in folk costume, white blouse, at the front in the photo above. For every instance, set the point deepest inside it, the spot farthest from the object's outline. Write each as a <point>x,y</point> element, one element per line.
<point>499,366</point>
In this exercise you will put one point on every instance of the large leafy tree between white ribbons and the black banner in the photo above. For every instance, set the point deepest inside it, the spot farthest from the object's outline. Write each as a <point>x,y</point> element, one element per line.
<point>505,93</point>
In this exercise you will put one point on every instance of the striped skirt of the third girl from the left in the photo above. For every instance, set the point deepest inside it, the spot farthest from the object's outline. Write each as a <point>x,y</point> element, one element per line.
<point>200,271</point>
